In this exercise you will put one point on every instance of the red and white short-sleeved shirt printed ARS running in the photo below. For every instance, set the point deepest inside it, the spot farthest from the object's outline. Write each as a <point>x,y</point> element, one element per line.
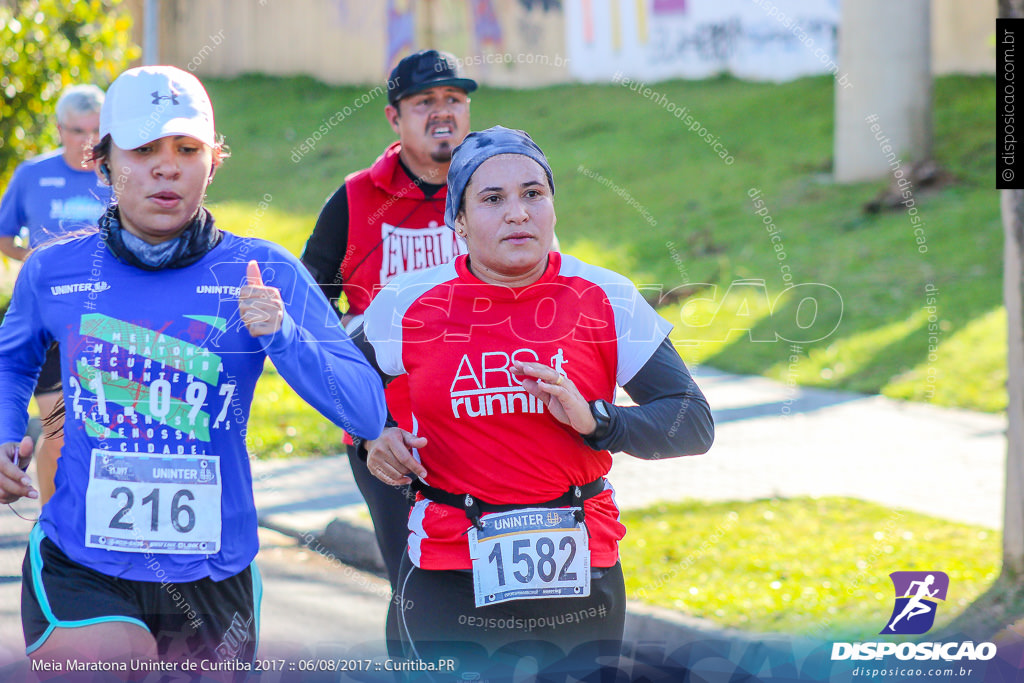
<point>457,337</point>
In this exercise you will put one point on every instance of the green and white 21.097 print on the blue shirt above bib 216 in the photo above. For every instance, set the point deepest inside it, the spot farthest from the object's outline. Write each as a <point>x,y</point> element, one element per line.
<point>142,387</point>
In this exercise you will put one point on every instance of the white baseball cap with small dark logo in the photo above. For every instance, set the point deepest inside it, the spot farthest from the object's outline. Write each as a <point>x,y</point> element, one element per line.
<point>149,103</point>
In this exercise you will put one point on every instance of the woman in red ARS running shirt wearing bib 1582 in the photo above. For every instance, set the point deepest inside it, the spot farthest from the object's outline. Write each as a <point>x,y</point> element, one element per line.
<point>514,354</point>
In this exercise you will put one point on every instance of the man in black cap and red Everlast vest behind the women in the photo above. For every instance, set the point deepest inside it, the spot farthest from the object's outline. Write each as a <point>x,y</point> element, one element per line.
<point>390,220</point>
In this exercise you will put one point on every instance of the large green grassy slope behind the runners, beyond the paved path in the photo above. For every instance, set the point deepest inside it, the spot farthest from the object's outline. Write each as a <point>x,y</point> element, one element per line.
<point>703,227</point>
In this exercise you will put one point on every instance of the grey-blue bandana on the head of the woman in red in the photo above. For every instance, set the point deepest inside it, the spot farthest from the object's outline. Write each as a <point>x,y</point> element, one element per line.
<point>479,148</point>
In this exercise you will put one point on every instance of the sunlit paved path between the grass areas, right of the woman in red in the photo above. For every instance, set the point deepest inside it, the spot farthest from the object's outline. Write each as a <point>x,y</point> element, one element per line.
<point>774,441</point>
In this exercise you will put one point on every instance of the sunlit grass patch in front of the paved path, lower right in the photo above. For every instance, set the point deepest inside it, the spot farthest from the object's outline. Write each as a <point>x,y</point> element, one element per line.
<point>801,567</point>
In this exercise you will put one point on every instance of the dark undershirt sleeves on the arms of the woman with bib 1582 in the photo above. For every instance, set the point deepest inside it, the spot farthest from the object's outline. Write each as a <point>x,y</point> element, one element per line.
<point>671,419</point>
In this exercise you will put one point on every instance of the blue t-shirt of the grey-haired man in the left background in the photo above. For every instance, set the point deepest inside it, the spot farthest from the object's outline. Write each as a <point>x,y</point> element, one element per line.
<point>50,198</point>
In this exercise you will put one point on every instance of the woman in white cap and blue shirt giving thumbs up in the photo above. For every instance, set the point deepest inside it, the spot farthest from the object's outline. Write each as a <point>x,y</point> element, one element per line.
<point>146,549</point>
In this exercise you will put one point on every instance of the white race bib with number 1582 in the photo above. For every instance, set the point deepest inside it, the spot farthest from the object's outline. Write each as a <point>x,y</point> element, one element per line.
<point>529,554</point>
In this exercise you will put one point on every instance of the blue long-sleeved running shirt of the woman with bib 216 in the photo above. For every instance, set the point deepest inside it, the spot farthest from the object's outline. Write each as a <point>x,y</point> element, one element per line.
<point>159,374</point>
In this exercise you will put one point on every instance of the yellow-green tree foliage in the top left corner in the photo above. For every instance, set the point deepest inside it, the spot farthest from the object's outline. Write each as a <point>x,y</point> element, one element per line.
<point>46,47</point>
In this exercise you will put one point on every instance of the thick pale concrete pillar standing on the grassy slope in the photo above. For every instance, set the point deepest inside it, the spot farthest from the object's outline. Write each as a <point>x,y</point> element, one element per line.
<point>884,49</point>
